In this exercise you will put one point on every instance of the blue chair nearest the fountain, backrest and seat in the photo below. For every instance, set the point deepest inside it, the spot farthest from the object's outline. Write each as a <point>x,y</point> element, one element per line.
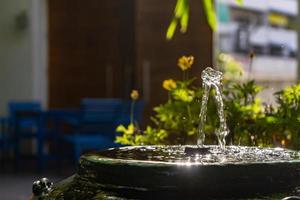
<point>96,129</point>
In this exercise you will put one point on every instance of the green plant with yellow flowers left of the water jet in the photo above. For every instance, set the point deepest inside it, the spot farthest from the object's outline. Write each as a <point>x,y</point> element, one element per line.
<point>172,119</point>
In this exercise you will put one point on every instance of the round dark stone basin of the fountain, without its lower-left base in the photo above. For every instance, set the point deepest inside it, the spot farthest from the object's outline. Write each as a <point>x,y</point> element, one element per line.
<point>123,171</point>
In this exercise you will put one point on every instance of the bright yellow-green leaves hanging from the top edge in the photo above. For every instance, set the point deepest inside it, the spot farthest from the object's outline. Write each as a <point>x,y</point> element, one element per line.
<point>181,16</point>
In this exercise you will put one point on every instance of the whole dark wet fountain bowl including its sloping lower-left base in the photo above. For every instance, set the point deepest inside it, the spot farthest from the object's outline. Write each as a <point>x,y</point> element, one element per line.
<point>177,172</point>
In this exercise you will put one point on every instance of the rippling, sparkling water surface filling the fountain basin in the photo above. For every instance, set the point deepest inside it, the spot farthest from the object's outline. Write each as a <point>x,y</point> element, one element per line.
<point>205,155</point>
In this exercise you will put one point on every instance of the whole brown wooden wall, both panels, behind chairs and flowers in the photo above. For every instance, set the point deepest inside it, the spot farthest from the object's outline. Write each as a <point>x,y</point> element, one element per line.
<point>95,45</point>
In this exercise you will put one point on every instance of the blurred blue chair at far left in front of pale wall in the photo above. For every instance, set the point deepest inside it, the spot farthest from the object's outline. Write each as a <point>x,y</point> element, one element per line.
<point>26,122</point>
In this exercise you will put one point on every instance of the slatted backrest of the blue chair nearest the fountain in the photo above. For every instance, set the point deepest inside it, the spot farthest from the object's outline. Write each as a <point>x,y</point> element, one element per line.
<point>99,115</point>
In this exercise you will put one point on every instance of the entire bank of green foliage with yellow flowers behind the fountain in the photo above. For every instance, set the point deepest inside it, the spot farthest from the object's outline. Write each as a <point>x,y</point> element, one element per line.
<point>250,122</point>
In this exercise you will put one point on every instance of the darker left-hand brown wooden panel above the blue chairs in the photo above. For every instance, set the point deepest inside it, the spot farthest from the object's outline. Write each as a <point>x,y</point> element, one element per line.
<point>88,45</point>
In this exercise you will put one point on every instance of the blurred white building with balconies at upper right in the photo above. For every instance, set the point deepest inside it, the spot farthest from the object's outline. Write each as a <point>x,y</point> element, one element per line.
<point>267,28</point>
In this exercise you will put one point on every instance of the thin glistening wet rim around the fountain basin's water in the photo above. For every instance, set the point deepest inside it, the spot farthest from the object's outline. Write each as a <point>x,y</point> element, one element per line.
<point>135,162</point>
